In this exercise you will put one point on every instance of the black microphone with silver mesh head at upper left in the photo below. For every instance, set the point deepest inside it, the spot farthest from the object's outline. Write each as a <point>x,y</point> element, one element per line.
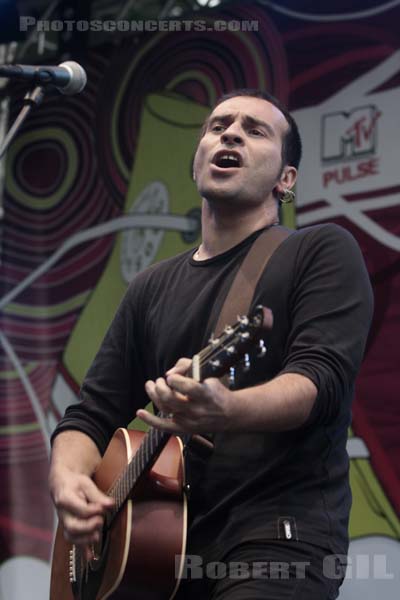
<point>69,77</point>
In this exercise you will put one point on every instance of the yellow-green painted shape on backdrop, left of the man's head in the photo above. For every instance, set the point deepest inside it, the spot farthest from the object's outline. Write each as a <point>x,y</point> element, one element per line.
<point>166,144</point>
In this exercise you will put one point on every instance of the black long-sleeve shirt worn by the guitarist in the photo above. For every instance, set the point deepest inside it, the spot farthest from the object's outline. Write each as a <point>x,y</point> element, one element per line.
<point>318,288</point>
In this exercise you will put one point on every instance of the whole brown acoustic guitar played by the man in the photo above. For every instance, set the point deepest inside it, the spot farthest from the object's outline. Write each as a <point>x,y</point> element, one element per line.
<point>142,549</point>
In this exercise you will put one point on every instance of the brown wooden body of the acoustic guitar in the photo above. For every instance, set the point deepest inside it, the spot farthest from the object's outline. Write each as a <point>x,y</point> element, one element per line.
<point>141,555</point>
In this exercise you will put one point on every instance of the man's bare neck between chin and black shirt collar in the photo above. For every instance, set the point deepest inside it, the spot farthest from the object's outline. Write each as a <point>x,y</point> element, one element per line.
<point>223,229</point>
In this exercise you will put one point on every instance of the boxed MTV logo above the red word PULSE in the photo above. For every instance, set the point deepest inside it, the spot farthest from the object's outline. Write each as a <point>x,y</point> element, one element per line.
<point>349,134</point>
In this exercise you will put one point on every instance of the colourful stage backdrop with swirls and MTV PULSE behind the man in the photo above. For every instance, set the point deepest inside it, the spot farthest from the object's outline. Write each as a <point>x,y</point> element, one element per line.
<point>98,186</point>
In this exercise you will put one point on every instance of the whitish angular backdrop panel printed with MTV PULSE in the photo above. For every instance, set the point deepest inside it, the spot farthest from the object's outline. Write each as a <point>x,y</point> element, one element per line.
<point>352,135</point>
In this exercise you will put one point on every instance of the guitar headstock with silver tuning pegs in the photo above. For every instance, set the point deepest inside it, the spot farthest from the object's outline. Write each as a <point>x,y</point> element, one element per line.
<point>225,352</point>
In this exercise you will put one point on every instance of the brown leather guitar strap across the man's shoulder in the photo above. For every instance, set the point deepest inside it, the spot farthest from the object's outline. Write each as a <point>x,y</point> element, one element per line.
<point>239,297</point>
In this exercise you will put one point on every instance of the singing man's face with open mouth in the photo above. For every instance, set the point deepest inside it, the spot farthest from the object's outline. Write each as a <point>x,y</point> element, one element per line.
<point>239,157</point>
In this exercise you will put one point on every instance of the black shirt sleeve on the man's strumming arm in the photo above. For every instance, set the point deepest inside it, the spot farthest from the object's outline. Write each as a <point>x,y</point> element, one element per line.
<point>113,388</point>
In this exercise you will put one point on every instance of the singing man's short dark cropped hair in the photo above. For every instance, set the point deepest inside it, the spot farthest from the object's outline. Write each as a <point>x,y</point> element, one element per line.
<point>291,144</point>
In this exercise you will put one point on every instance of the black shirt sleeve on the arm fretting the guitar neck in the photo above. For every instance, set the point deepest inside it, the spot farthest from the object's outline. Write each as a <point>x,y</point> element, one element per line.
<point>331,309</point>
